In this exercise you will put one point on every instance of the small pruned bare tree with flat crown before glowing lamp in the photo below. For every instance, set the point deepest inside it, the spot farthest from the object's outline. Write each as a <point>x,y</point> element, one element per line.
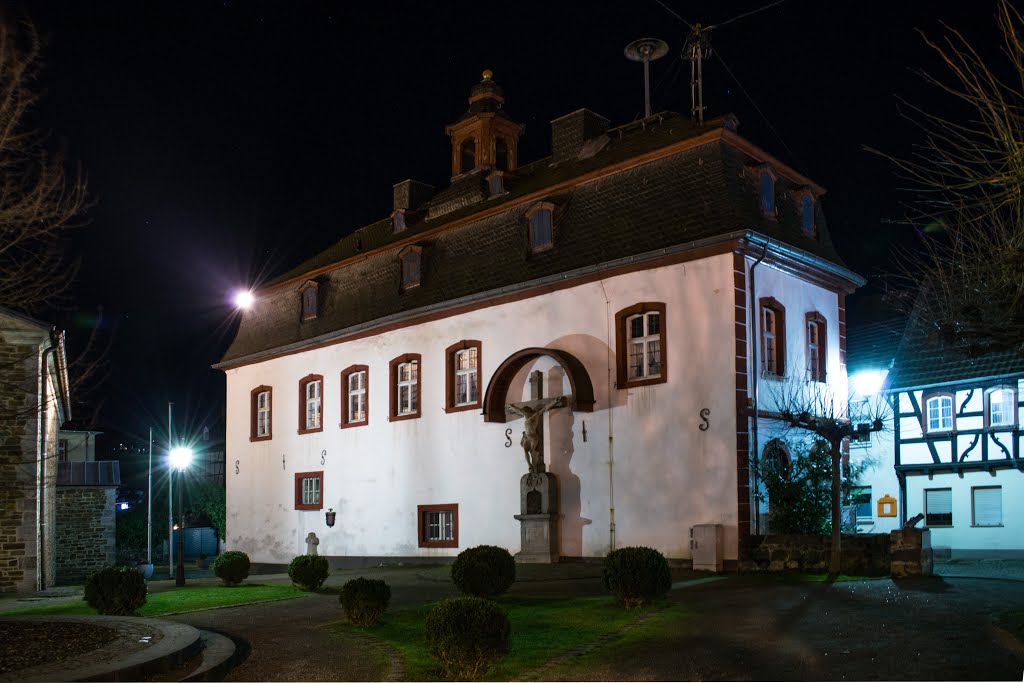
<point>815,409</point>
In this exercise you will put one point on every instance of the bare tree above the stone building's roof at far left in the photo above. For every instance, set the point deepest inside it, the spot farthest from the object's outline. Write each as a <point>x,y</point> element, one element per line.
<point>40,201</point>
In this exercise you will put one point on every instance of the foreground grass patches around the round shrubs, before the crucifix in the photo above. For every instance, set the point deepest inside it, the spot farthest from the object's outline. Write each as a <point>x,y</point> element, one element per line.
<point>542,630</point>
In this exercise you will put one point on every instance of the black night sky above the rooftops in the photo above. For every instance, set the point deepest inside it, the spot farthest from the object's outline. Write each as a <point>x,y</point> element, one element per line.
<point>227,142</point>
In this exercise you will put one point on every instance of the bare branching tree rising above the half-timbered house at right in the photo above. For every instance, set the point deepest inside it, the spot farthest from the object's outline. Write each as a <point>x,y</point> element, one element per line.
<point>966,177</point>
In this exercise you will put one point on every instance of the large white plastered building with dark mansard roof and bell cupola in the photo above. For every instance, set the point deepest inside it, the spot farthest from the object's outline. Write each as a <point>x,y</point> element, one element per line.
<point>653,274</point>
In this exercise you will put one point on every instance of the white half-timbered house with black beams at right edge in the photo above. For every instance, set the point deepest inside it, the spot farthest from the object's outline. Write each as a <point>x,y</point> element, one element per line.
<point>959,446</point>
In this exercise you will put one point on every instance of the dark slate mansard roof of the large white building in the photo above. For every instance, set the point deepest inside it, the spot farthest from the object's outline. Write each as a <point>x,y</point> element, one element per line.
<point>658,184</point>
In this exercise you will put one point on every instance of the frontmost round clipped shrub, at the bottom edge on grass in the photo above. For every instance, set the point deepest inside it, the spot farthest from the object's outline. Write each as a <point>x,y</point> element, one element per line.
<point>468,636</point>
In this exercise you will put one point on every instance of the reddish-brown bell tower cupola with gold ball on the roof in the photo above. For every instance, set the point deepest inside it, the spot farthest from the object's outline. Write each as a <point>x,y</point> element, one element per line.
<point>485,137</point>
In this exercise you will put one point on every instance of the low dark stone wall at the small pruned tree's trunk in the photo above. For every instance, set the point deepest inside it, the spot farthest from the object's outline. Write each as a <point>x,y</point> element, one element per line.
<point>866,554</point>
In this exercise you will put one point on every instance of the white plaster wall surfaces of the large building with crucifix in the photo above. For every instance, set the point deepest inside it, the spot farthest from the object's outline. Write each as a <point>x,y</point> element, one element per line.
<point>659,471</point>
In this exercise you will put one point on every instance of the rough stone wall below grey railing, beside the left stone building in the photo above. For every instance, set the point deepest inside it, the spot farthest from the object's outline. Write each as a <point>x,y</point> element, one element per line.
<point>87,535</point>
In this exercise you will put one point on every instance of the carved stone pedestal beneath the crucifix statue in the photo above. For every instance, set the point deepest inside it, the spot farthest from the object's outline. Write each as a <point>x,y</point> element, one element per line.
<point>539,520</point>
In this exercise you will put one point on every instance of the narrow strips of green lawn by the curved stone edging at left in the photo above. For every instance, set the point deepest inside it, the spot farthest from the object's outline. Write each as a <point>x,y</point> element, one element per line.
<point>188,599</point>
